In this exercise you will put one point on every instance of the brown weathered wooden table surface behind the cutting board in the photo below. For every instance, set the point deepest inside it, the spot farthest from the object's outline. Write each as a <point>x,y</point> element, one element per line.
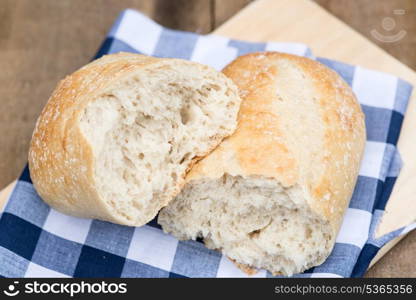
<point>43,40</point>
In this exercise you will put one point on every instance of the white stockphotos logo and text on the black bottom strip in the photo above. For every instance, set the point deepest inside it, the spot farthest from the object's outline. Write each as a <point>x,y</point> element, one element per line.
<point>64,288</point>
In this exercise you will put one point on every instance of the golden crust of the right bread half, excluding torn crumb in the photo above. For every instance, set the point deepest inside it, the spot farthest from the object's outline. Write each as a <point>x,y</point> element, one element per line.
<point>308,132</point>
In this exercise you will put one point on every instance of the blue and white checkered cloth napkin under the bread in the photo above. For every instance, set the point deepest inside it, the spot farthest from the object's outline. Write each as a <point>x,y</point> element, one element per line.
<point>37,241</point>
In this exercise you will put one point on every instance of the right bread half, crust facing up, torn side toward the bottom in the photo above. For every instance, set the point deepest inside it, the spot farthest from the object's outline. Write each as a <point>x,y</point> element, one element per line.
<point>273,195</point>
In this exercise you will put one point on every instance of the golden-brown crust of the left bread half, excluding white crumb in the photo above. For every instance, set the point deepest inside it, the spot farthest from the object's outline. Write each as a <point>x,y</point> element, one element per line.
<point>61,161</point>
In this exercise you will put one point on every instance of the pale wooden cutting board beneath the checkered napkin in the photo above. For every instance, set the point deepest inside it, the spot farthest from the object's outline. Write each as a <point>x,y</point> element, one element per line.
<point>305,22</point>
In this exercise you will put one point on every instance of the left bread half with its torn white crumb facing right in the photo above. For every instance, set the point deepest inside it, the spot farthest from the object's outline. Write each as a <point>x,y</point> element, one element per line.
<point>117,137</point>
